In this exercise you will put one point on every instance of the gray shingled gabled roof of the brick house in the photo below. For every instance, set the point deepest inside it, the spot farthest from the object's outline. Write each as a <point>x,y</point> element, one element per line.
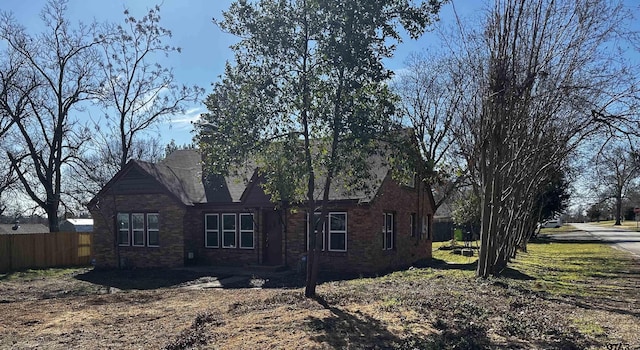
<point>181,175</point>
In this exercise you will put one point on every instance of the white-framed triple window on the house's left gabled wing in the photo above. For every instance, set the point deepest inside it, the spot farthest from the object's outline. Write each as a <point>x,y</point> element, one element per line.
<point>138,229</point>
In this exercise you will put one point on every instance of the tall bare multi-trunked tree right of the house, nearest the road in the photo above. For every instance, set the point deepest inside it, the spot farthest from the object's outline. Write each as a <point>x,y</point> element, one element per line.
<point>546,81</point>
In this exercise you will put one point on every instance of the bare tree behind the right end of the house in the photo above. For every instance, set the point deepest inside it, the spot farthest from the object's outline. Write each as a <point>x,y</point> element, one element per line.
<point>432,93</point>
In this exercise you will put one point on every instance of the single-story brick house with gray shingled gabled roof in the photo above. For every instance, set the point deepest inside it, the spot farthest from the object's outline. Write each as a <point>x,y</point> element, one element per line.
<point>167,215</point>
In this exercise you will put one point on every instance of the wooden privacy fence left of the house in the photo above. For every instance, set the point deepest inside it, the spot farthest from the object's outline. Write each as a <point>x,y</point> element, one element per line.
<point>40,250</point>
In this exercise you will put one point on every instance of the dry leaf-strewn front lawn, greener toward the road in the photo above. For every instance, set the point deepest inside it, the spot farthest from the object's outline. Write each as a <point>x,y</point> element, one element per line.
<point>558,295</point>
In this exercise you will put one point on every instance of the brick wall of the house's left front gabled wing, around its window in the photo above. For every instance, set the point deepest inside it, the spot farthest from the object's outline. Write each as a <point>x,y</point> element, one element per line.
<point>108,254</point>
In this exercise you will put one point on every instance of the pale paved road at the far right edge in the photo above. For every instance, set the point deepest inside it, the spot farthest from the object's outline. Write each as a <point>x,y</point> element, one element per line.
<point>623,239</point>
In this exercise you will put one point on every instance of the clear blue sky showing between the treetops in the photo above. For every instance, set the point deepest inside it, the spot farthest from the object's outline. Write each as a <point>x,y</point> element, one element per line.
<point>204,47</point>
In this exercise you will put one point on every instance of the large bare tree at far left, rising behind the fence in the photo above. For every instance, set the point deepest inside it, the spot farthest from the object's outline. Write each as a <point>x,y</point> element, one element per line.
<point>62,61</point>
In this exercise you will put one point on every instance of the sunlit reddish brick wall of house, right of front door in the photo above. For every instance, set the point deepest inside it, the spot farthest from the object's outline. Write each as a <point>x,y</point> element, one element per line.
<point>365,252</point>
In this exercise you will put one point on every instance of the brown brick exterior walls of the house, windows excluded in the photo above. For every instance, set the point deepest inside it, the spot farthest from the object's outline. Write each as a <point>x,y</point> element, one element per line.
<point>182,232</point>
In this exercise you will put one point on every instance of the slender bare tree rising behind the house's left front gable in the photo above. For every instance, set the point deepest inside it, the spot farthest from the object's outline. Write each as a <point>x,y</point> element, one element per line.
<point>138,91</point>
